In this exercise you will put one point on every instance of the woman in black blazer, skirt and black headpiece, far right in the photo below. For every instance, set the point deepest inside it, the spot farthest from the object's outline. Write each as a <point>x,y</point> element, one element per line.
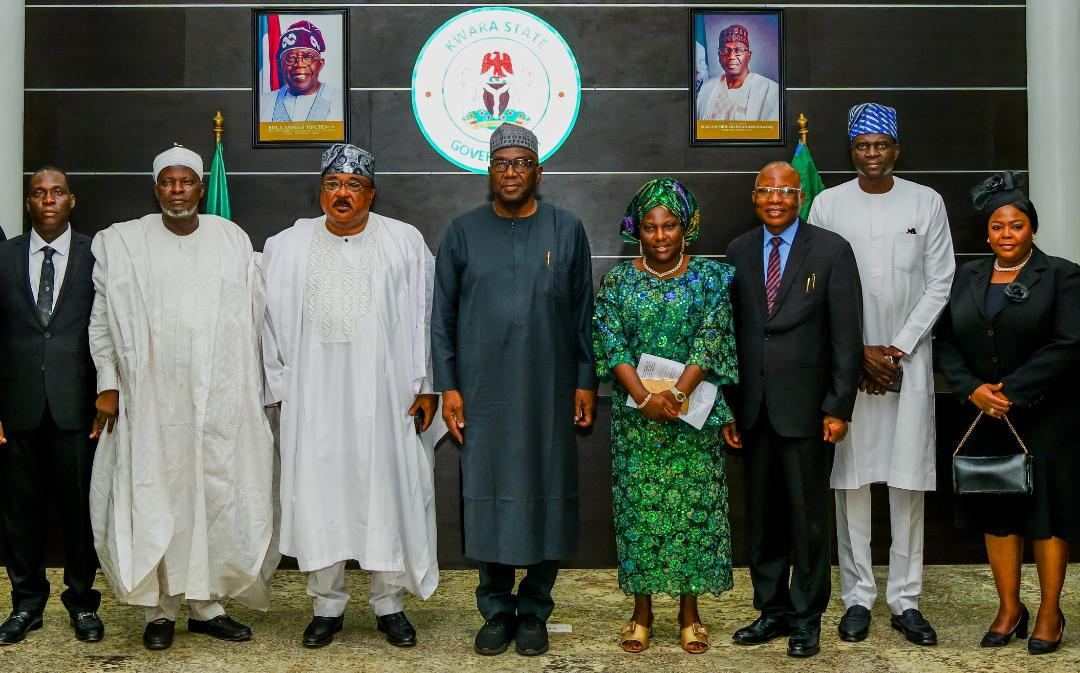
<point>1009,343</point>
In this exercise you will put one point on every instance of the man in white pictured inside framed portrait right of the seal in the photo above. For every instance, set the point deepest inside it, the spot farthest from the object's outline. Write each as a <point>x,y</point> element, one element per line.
<point>738,95</point>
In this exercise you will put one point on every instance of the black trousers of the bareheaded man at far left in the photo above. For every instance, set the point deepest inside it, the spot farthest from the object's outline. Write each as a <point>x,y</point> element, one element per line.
<point>38,468</point>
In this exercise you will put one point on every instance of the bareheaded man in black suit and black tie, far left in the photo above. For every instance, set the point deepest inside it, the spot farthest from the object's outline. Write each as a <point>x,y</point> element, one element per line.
<point>47,409</point>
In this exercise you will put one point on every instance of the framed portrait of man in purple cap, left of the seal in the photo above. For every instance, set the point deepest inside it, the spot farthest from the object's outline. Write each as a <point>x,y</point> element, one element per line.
<point>301,84</point>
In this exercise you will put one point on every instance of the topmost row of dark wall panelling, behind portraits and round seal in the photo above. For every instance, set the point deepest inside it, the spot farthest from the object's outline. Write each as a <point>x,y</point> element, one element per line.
<point>615,47</point>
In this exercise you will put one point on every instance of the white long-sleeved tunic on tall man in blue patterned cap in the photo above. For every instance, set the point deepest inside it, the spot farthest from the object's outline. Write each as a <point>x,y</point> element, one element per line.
<point>904,250</point>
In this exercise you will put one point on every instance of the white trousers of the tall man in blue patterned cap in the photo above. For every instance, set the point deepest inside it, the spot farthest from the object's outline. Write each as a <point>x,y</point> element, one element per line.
<point>906,551</point>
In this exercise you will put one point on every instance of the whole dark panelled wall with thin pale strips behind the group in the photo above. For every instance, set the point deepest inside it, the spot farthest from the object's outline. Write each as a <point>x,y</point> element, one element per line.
<point>110,87</point>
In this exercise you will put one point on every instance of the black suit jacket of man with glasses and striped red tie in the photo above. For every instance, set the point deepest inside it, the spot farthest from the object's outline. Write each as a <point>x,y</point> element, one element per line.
<point>804,360</point>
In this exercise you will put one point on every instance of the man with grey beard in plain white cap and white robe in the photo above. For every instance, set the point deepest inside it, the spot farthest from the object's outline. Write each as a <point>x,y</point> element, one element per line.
<point>182,493</point>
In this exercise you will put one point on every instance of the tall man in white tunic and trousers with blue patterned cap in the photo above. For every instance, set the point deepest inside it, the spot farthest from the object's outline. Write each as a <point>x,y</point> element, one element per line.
<point>901,237</point>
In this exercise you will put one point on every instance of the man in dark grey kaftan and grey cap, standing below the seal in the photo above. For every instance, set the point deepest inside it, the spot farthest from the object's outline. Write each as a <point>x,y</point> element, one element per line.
<point>511,334</point>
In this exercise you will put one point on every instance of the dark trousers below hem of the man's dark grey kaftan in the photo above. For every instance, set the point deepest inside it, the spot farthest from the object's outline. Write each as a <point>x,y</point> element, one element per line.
<point>495,593</point>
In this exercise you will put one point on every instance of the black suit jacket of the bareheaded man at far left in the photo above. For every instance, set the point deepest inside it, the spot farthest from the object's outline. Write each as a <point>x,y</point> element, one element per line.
<point>46,366</point>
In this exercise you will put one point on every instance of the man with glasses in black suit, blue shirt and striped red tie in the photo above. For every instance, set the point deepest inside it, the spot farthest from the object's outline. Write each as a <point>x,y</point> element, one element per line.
<point>799,331</point>
